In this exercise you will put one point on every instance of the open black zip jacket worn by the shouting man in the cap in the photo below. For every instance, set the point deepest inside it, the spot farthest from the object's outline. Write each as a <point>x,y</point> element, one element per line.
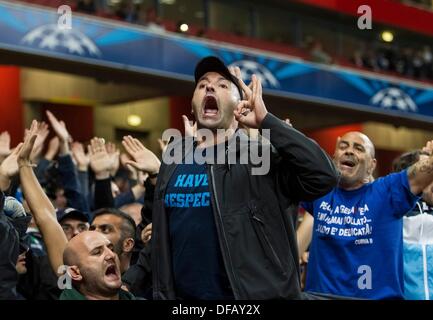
<point>256,234</point>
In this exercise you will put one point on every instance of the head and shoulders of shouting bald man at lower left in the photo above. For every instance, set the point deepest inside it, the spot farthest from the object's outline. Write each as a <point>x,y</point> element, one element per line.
<point>93,268</point>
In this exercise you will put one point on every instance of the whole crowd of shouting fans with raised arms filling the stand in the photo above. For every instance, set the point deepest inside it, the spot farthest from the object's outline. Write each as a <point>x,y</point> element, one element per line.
<point>105,224</point>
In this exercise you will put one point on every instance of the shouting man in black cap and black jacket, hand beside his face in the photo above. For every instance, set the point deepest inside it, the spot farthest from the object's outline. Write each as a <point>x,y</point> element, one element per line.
<point>220,232</point>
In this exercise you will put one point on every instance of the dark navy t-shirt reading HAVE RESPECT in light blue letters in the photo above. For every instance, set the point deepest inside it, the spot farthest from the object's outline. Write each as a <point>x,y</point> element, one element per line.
<point>198,266</point>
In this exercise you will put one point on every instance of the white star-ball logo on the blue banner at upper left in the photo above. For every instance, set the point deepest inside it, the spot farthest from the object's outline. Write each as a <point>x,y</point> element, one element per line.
<point>51,37</point>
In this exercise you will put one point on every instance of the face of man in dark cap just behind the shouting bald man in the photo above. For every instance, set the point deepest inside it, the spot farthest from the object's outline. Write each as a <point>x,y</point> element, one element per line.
<point>72,221</point>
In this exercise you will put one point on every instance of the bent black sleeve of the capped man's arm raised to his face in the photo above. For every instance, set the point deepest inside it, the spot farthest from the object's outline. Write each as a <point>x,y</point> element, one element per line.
<point>305,170</point>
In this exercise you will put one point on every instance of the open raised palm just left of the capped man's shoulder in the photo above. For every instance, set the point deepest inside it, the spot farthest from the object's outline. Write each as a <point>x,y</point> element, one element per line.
<point>144,159</point>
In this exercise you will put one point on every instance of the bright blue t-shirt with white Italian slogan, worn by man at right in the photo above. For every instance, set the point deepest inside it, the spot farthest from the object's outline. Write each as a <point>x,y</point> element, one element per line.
<point>357,245</point>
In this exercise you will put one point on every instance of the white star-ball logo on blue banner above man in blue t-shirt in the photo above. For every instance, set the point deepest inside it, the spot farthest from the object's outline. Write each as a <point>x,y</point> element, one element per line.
<point>394,97</point>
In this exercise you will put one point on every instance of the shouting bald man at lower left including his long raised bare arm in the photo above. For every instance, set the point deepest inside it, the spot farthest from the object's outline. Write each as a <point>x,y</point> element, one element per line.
<point>91,265</point>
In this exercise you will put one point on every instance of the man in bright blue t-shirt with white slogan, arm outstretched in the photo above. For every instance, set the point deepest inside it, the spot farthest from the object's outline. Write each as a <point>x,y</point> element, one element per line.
<point>356,248</point>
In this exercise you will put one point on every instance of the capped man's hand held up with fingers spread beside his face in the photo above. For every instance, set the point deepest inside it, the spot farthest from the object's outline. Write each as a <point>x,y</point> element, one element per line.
<point>251,111</point>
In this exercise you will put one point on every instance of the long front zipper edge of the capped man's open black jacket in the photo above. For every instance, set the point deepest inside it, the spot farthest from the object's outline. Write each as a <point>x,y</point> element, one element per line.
<point>223,240</point>
